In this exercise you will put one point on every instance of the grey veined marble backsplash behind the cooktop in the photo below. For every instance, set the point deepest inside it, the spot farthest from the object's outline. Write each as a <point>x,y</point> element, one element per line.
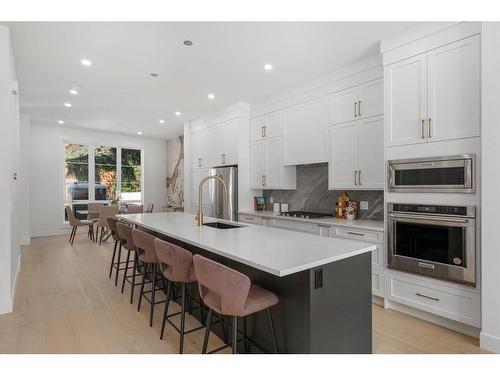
<point>312,194</point>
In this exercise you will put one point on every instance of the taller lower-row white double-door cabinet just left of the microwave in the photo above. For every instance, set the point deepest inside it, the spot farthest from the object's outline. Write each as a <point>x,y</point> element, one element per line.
<point>357,155</point>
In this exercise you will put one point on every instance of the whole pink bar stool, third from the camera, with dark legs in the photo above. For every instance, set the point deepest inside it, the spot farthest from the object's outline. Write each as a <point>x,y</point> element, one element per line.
<point>145,245</point>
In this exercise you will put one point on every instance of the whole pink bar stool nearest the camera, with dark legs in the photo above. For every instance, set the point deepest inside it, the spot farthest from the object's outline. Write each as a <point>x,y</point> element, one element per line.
<point>231,293</point>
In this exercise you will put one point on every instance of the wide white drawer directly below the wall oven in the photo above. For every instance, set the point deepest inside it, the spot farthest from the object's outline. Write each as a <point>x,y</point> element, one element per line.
<point>451,303</point>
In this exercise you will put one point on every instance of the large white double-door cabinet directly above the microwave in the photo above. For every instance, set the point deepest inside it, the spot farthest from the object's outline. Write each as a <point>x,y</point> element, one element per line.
<point>434,96</point>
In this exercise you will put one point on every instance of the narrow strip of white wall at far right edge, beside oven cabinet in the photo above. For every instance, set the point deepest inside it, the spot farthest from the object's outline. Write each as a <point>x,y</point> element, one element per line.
<point>490,137</point>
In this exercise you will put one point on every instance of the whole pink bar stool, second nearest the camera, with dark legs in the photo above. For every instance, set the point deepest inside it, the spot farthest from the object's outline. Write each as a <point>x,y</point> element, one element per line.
<point>176,265</point>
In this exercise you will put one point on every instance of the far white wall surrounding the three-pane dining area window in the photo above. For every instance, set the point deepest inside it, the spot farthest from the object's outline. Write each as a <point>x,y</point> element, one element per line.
<point>46,171</point>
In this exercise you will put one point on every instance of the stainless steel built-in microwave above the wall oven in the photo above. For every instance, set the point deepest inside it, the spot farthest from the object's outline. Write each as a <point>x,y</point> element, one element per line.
<point>446,174</point>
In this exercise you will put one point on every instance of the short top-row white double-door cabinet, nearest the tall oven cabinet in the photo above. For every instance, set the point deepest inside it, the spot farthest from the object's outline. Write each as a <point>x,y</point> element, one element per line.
<point>357,102</point>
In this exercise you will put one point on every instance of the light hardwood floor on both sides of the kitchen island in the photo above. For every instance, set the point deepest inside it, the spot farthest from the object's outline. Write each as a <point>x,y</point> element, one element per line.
<point>65,303</point>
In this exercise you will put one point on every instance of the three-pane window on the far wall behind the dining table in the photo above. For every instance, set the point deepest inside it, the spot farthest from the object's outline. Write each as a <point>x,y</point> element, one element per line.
<point>100,173</point>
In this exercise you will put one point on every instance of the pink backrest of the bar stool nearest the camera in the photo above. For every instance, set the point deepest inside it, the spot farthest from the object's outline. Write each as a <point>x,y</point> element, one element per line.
<point>232,287</point>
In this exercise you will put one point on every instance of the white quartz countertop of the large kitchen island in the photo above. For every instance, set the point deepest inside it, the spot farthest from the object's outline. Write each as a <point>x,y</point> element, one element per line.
<point>276,251</point>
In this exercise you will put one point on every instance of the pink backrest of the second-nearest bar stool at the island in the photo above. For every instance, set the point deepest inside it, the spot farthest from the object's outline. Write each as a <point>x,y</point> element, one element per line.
<point>177,259</point>
